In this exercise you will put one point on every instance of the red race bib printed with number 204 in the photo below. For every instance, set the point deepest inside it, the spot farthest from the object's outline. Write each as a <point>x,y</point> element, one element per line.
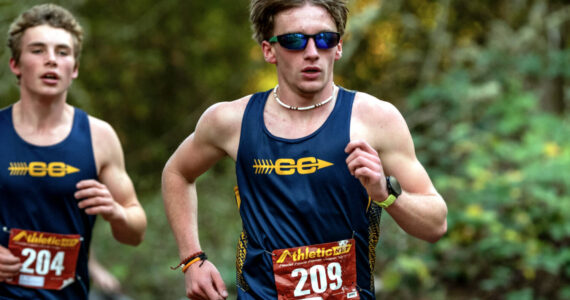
<point>48,259</point>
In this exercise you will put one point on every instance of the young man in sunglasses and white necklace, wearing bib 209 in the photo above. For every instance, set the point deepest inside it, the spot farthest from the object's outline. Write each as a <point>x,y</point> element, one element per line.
<point>315,164</point>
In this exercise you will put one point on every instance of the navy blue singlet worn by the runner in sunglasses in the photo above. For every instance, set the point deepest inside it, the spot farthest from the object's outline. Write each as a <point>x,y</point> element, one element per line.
<point>297,192</point>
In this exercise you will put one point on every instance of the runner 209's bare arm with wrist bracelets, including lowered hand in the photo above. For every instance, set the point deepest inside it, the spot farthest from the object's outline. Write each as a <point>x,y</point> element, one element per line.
<point>200,151</point>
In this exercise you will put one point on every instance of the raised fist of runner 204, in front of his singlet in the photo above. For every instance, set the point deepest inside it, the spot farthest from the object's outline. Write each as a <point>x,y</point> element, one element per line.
<point>96,199</point>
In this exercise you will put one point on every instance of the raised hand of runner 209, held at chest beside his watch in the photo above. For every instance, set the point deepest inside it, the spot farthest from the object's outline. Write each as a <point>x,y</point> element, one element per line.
<point>364,163</point>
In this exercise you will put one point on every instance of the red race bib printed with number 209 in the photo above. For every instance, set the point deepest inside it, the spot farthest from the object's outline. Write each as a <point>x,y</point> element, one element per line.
<point>323,271</point>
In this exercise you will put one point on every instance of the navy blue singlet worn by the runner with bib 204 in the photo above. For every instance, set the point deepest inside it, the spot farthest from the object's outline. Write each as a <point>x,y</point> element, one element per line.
<point>36,193</point>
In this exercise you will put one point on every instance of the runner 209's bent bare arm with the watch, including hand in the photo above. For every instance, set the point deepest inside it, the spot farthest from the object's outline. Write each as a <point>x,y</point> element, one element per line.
<point>388,149</point>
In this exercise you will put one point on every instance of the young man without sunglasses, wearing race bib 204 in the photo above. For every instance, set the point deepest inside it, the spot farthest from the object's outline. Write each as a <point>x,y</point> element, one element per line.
<point>59,167</point>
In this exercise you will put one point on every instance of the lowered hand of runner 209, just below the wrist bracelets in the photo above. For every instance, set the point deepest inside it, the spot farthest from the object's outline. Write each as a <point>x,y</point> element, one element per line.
<point>203,282</point>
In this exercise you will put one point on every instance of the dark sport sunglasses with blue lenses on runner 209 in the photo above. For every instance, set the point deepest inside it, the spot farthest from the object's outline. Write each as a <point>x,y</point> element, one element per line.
<point>298,41</point>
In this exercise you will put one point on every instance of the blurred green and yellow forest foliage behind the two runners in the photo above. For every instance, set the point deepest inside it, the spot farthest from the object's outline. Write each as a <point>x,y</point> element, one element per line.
<point>484,86</point>
